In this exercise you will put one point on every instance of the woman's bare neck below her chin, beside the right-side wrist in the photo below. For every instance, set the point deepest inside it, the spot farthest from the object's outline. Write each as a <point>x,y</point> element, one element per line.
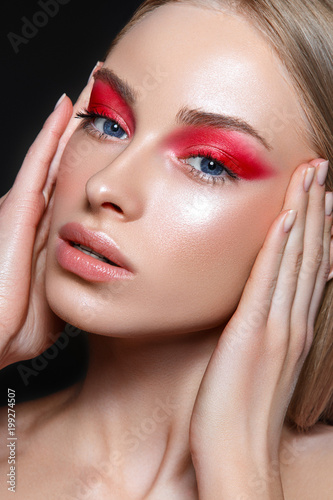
<point>135,404</point>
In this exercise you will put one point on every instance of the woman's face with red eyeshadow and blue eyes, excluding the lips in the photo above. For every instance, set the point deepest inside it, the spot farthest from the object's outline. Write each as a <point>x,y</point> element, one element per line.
<point>204,98</point>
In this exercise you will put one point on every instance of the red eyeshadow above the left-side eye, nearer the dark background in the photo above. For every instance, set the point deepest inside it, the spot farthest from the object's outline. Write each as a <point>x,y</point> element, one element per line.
<point>106,100</point>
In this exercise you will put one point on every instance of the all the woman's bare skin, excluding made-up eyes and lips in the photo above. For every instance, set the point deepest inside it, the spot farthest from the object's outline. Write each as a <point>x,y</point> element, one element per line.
<point>170,408</point>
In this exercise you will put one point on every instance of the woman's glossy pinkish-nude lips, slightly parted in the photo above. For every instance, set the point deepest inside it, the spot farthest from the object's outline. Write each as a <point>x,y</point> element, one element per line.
<point>84,265</point>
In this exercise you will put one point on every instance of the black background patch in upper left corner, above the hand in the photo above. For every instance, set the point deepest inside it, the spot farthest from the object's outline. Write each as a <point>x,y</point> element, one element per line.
<point>57,59</point>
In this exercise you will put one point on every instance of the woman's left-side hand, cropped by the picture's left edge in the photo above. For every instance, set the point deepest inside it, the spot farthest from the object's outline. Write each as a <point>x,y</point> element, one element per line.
<point>27,324</point>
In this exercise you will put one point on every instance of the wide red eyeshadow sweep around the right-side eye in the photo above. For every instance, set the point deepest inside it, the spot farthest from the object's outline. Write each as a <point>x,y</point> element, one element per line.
<point>240,154</point>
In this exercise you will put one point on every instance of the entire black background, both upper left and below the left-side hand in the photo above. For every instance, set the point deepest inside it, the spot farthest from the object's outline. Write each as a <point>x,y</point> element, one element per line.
<point>56,59</point>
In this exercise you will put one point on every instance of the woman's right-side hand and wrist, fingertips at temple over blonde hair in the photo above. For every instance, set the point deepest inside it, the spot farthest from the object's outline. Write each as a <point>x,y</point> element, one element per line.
<point>239,412</point>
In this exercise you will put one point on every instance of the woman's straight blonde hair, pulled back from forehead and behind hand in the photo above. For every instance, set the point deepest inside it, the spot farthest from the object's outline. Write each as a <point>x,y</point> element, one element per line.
<point>300,32</point>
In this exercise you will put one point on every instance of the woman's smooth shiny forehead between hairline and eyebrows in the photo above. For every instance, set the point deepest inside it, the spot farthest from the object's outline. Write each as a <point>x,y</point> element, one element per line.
<point>205,58</point>
